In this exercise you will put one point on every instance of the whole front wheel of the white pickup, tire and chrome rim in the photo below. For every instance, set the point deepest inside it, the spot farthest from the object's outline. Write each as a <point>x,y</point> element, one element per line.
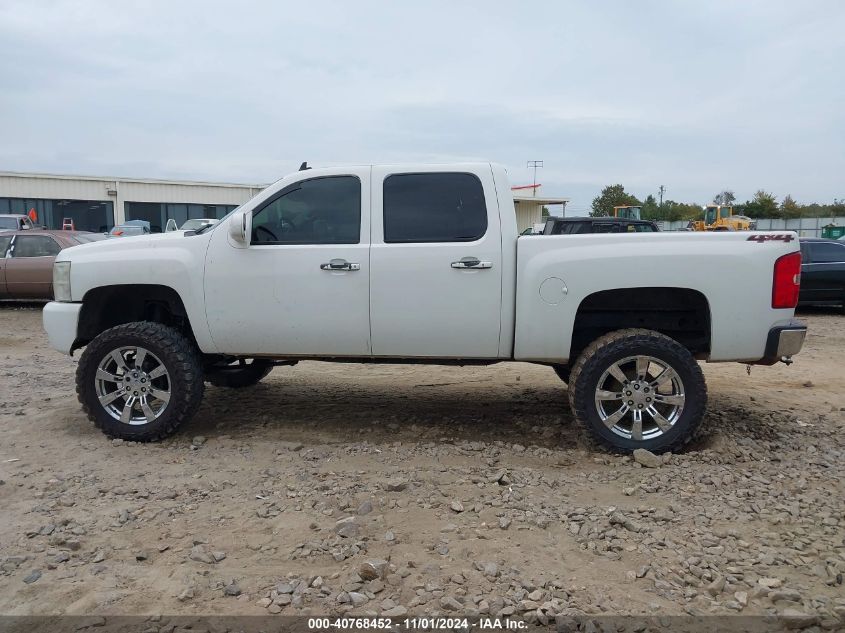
<point>140,381</point>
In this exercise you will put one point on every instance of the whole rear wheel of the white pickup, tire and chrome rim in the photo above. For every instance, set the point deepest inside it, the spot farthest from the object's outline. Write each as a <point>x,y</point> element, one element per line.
<point>638,389</point>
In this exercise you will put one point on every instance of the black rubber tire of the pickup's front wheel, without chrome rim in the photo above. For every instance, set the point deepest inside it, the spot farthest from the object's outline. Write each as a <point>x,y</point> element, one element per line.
<point>187,368</point>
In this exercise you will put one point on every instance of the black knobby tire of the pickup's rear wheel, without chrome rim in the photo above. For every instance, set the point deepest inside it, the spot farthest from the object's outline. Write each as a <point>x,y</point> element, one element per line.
<point>612,347</point>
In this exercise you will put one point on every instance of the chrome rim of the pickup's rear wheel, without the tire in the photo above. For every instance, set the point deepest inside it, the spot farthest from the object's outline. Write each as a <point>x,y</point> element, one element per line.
<point>640,397</point>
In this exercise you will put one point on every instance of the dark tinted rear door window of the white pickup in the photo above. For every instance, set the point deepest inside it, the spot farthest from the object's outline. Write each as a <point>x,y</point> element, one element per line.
<point>434,207</point>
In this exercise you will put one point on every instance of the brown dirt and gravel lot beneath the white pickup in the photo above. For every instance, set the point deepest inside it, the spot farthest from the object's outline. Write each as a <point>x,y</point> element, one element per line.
<point>474,484</point>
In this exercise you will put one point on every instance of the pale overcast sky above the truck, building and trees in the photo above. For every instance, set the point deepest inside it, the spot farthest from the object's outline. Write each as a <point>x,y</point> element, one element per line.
<point>695,96</point>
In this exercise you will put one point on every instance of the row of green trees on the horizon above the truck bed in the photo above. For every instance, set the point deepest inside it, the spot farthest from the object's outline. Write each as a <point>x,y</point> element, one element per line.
<point>762,205</point>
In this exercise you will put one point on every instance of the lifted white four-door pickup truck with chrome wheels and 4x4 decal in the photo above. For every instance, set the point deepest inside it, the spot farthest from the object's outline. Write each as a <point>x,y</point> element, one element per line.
<point>419,263</point>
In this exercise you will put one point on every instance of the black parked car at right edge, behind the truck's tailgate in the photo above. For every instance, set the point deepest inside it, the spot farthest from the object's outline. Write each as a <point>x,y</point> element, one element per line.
<point>822,272</point>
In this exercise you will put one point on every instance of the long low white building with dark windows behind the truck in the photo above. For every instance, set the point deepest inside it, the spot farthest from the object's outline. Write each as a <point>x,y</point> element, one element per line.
<point>95,203</point>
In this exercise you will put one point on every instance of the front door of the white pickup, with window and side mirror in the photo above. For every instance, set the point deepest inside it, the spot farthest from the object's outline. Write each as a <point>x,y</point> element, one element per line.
<point>301,287</point>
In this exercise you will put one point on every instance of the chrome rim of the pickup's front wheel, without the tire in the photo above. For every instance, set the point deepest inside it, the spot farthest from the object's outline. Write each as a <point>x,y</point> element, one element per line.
<point>132,385</point>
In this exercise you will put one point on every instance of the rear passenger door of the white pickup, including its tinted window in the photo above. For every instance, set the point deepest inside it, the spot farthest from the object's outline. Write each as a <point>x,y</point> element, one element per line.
<point>436,264</point>
